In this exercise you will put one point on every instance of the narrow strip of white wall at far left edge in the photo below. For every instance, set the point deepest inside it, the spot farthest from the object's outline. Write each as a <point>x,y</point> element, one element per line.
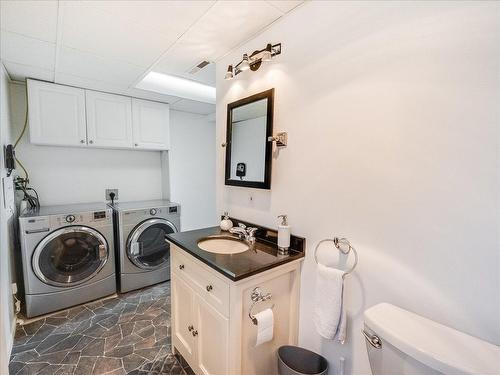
<point>7,317</point>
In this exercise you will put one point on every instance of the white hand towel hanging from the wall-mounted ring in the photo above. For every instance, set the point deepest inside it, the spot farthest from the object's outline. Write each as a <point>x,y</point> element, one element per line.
<point>329,313</point>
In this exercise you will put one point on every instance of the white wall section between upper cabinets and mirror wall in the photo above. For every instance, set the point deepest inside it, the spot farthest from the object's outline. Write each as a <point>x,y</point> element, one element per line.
<point>192,168</point>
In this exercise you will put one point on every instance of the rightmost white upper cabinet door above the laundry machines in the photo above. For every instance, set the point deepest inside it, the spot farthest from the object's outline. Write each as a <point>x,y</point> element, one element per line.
<point>151,124</point>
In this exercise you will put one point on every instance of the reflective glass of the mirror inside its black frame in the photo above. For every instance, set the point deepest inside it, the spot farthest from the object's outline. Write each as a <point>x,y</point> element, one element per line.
<point>248,141</point>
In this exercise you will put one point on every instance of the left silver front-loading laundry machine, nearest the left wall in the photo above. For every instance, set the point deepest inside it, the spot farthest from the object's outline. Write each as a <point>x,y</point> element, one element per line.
<point>67,256</point>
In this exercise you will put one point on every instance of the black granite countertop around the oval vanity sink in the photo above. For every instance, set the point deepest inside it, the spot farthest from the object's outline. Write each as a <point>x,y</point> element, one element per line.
<point>238,266</point>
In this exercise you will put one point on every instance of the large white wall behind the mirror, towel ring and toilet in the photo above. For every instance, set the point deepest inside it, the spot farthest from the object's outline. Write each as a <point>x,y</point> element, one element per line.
<point>392,111</point>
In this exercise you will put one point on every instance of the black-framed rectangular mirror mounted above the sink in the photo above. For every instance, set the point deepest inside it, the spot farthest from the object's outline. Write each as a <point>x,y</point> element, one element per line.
<point>248,151</point>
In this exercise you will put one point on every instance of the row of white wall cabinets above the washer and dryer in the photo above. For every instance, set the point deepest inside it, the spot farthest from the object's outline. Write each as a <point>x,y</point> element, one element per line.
<point>68,116</point>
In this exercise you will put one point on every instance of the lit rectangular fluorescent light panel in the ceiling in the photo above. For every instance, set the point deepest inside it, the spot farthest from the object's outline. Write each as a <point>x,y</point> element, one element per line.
<point>177,86</point>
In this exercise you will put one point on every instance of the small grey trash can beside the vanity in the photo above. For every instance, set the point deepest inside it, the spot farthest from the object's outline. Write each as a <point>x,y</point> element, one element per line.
<point>293,360</point>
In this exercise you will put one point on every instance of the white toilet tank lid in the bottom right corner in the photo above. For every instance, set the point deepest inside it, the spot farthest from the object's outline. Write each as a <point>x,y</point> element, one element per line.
<point>435,345</point>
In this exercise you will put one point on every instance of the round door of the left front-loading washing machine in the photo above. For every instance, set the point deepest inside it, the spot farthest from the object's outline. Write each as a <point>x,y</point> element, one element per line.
<point>70,256</point>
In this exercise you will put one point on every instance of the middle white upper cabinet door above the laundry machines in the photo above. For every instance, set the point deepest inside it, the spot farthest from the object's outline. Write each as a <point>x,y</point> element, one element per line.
<point>109,120</point>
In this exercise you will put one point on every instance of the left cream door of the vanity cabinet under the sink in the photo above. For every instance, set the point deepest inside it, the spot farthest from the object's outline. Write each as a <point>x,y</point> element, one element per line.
<point>183,322</point>
